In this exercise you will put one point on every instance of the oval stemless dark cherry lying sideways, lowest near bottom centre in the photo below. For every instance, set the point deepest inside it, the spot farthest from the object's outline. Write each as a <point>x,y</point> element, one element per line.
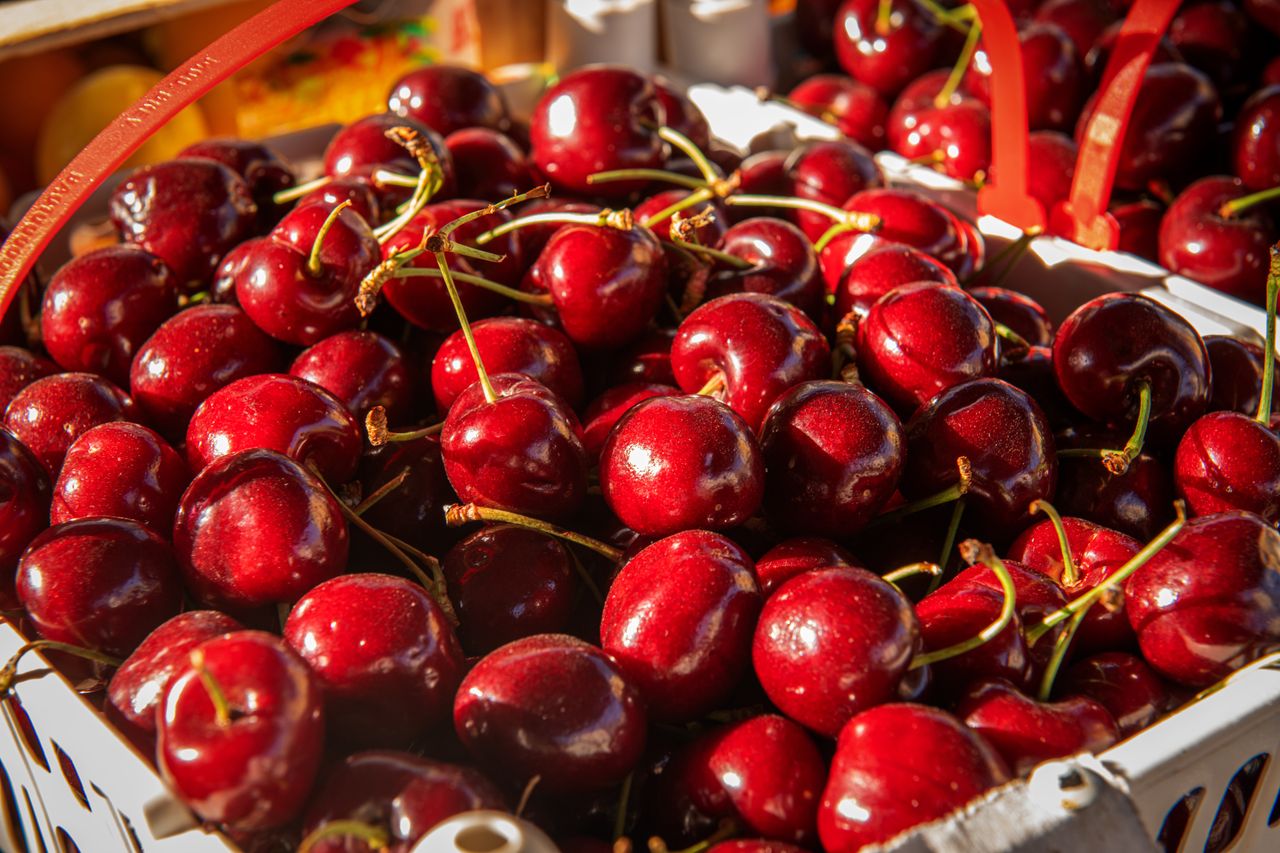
<point>552,706</point>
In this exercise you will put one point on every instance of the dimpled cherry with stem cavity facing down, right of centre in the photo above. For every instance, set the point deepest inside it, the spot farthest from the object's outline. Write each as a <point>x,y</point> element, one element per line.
<point>760,345</point>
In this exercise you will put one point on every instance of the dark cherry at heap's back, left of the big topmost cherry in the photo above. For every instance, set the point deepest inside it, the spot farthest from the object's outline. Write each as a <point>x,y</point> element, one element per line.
<point>447,99</point>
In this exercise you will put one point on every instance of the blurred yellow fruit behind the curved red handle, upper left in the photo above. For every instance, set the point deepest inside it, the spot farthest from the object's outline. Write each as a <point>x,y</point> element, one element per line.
<point>93,103</point>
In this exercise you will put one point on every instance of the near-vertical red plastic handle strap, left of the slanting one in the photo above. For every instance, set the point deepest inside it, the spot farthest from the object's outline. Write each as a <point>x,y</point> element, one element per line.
<point>1007,197</point>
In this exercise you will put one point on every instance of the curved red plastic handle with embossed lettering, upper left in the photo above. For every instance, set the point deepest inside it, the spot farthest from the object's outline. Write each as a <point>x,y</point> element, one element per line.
<point>124,136</point>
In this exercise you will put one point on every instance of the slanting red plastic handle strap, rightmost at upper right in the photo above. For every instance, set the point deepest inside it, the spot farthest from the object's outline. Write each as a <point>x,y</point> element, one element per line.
<point>1084,216</point>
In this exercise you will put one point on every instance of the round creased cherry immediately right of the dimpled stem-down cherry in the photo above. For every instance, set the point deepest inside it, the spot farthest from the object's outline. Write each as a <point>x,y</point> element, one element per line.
<point>921,340</point>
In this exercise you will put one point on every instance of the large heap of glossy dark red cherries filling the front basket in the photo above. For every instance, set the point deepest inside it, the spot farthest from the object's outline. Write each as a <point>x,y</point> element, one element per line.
<point>683,500</point>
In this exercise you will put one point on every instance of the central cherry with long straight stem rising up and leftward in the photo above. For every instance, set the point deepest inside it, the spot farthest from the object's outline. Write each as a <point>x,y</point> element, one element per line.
<point>523,453</point>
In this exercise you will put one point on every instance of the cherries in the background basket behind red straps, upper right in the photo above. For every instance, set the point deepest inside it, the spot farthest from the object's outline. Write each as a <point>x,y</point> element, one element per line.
<point>1200,166</point>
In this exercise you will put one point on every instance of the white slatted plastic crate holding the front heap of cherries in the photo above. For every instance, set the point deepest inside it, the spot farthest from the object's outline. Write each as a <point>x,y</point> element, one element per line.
<point>1114,802</point>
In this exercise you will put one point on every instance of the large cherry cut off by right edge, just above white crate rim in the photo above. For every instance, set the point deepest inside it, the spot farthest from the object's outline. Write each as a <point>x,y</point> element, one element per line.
<point>1210,601</point>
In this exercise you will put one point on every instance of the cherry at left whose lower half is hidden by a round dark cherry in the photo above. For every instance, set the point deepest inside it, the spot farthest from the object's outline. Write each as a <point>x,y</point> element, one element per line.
<point>281,413</point>
